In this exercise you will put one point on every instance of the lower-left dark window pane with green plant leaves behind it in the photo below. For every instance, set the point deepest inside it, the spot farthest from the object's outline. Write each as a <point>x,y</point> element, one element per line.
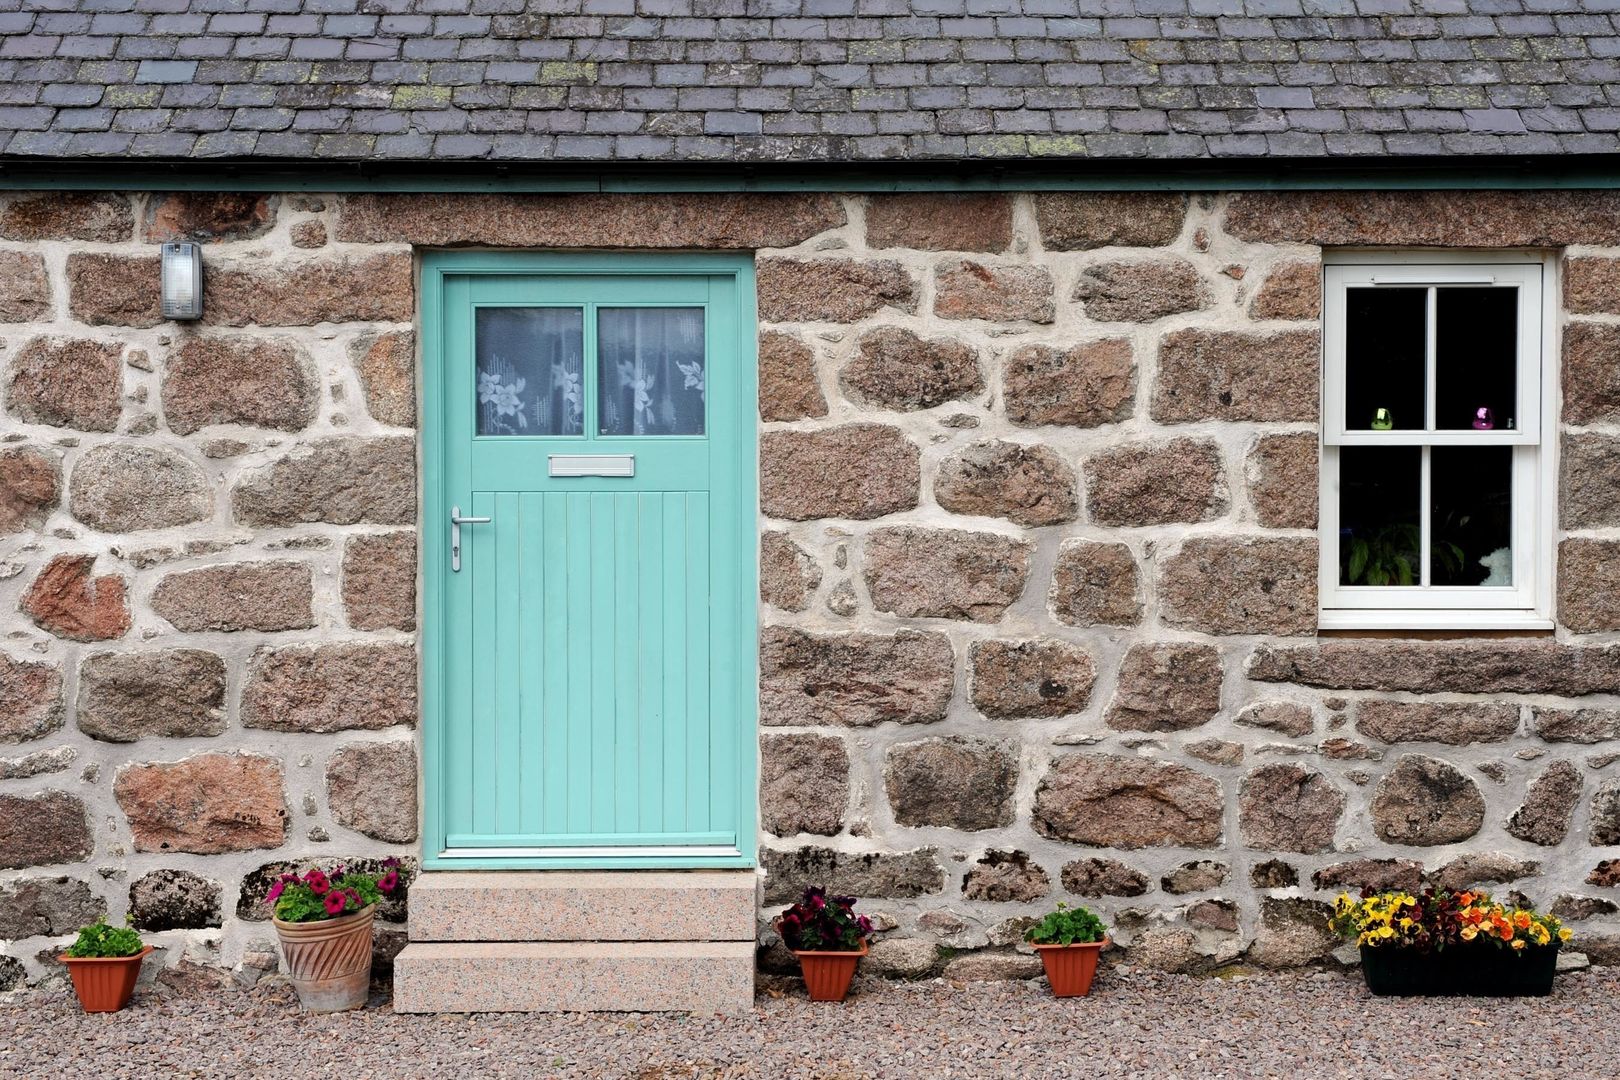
<point>1379,493</point>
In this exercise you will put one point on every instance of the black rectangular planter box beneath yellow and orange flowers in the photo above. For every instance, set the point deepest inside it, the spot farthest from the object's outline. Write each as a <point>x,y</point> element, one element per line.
<point>1469,971</point>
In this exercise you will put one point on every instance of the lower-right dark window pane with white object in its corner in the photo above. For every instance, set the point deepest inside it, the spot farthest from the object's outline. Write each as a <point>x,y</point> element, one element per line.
<point>1472,524</point>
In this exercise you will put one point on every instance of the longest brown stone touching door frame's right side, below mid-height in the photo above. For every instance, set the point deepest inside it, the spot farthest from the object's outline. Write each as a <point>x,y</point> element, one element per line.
<point>855,679</point>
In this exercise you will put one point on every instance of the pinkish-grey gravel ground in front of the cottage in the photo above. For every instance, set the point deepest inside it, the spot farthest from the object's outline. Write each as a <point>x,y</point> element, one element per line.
<point>1135,1024</point>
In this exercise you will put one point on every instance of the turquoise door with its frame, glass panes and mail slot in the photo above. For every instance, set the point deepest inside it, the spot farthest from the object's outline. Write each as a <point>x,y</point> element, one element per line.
<point>589,546</point>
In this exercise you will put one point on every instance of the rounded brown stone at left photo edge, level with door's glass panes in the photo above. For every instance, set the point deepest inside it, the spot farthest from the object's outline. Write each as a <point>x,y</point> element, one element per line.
<point>67,383</point>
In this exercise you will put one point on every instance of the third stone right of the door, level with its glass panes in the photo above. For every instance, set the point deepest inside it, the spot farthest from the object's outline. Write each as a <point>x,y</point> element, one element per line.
<point>1083,386</point>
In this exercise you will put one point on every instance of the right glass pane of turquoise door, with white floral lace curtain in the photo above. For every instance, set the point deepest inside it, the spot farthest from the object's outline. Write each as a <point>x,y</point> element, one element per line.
<point>652,372</point>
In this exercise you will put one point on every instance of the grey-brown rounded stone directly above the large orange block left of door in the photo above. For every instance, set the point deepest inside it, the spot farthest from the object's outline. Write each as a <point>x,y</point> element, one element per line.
<point>174,694</point>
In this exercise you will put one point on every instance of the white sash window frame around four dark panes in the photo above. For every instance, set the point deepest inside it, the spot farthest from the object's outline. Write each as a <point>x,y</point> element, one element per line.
<point>1527,605</point>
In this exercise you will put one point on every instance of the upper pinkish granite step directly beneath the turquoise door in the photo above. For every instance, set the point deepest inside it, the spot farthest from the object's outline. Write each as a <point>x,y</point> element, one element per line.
<point>584,906</point>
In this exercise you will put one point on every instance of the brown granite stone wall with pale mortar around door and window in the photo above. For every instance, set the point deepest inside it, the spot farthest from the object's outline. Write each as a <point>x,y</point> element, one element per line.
<point>1038,572</point>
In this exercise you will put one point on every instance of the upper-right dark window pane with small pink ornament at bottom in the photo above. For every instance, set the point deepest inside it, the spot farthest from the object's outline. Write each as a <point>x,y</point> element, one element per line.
<point>1477,359</point>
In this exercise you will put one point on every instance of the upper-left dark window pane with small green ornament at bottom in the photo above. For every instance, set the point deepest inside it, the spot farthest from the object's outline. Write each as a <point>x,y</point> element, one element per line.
<point>1384,359</point>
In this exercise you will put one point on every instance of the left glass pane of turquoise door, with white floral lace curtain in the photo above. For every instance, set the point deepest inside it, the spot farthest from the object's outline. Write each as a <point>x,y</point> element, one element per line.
<point>531,372</point>
